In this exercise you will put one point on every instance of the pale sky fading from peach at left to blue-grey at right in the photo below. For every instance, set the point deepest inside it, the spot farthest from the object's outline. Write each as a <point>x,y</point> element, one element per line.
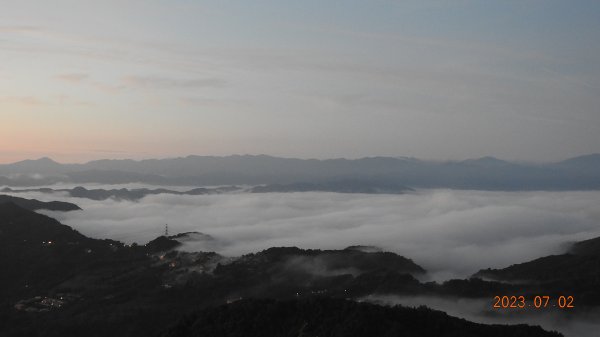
<point>82,80</point>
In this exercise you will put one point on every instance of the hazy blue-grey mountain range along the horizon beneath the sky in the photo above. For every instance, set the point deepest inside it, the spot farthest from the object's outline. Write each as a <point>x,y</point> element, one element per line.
<point>580,173</point>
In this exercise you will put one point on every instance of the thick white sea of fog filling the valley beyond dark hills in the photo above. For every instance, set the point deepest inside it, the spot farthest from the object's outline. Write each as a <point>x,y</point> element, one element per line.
<point>450,233</point>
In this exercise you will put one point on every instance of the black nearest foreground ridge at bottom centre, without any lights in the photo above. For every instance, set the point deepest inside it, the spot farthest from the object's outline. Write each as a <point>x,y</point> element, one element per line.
<point>335,318</point>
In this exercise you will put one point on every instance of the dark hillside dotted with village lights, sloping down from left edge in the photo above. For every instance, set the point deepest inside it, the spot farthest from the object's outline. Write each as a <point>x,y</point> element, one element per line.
<point>57,282</point>
